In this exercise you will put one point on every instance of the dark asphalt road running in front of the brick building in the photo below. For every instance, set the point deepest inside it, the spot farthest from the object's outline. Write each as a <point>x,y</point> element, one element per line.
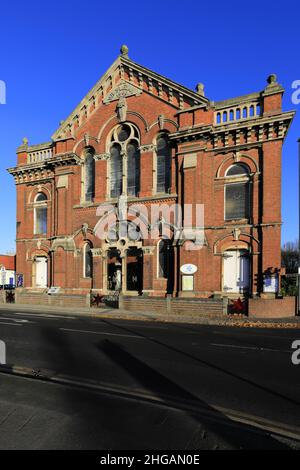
<point>140,367</point>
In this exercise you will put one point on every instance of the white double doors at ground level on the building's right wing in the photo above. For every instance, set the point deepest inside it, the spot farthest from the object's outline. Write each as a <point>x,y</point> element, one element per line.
<point>236,271</point>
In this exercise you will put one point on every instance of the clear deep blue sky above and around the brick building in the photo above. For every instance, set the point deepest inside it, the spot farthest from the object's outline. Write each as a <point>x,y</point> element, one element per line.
<point>52,53</point>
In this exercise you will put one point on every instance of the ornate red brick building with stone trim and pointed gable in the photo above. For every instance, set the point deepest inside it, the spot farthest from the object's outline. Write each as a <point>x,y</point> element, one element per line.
<point>141,135</point>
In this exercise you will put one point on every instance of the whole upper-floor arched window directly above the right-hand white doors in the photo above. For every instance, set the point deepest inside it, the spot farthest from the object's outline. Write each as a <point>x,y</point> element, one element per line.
<point>237,193</point>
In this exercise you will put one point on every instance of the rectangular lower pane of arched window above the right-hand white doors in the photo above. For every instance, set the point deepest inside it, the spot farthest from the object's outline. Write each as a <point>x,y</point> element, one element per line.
<point>237,201</point>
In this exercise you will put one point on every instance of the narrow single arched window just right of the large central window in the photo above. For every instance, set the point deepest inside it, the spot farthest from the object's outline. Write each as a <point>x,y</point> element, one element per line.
<point>163,164</point>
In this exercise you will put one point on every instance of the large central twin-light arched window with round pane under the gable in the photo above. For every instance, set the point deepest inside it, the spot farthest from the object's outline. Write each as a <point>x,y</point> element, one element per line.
<point>124,172</point>
